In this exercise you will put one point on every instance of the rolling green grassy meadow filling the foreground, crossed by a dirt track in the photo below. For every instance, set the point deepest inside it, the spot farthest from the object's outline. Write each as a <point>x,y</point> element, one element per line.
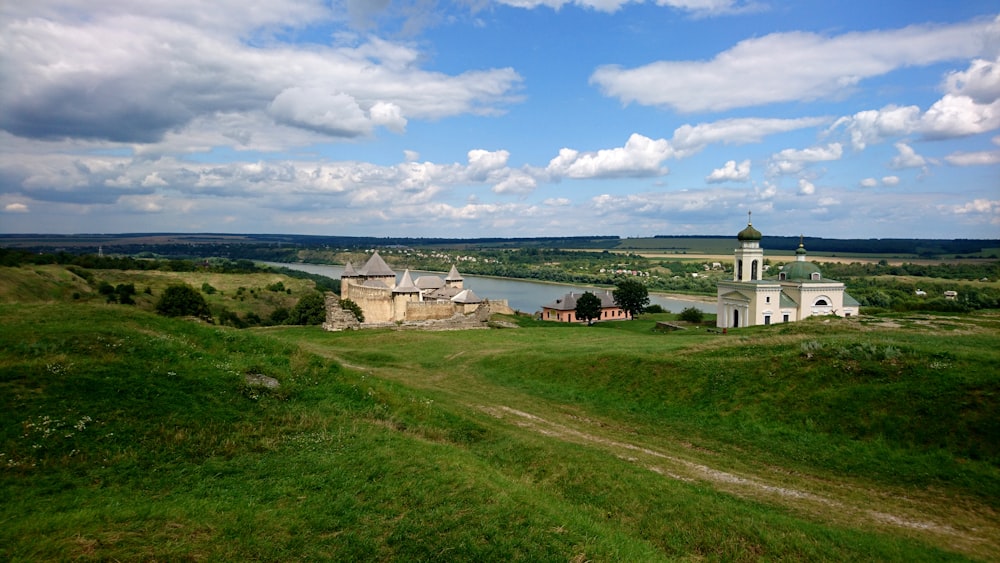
<point>128,436</point>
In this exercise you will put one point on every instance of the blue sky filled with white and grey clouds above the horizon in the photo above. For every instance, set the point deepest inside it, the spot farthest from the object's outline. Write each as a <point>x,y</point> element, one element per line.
<point>501,118</point>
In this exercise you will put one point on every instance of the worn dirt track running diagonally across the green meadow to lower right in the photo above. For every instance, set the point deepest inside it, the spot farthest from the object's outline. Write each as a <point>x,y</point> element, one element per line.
<point>963,525</point>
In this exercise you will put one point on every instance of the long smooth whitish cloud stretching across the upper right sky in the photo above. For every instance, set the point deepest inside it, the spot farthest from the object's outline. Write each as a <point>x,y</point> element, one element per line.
<point>792,66</point>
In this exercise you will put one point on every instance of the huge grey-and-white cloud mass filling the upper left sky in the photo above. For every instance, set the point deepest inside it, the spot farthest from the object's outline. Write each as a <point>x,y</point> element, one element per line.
<point>133,75</point>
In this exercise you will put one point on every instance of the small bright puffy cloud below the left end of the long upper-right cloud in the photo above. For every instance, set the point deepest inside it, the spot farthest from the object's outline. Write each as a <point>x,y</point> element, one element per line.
<point>641,156</point>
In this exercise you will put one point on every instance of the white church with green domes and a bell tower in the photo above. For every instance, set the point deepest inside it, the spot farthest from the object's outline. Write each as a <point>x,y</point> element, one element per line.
<point>797,292</point>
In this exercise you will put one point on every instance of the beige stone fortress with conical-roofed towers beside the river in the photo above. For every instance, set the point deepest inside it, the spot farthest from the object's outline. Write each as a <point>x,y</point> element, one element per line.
<point>427,302</point>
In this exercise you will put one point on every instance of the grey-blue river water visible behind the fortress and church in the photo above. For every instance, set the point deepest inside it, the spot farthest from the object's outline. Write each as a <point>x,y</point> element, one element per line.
<point>522,295</point>
